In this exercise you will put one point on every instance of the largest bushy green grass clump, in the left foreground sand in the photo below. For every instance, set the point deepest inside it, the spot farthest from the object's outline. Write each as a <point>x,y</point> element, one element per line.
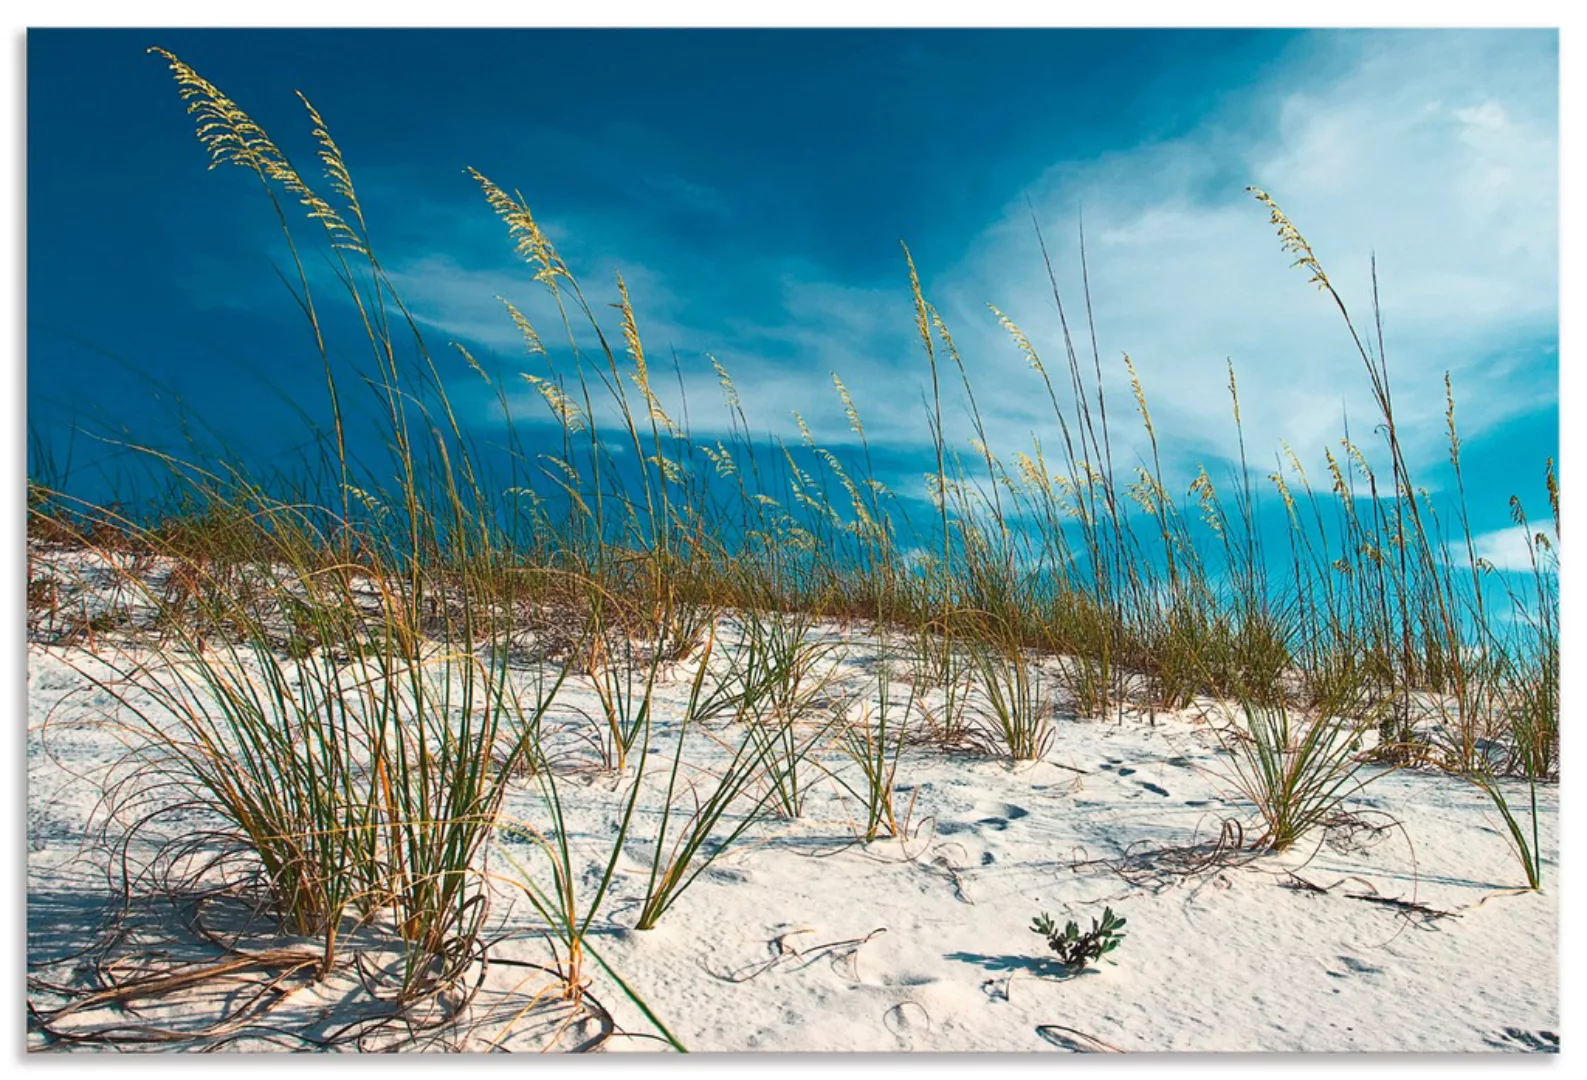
<point>353,770</point>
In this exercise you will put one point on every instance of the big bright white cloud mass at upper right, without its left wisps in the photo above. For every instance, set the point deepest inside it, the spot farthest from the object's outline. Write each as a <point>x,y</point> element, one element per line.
<point>1434,151</point>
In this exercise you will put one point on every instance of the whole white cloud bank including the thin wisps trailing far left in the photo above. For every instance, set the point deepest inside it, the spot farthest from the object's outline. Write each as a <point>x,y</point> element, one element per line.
<point>1437,151</point>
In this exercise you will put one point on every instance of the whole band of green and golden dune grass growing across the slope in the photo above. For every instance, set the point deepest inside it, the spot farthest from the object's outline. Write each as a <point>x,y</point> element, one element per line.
<point>329,654</point>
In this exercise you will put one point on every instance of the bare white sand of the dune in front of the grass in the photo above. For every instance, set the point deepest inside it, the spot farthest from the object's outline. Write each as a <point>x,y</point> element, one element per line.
<point>804,940</point>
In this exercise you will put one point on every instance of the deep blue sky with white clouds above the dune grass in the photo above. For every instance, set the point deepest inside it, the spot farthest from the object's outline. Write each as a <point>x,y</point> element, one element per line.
<point>753,190</point>
